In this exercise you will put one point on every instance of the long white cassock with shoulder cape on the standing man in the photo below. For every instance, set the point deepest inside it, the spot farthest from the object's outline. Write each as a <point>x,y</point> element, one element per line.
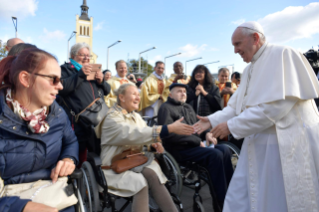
<point>273,110</point>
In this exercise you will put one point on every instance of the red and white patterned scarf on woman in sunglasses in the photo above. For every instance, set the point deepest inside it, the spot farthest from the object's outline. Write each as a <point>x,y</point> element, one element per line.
<point>36,120</point>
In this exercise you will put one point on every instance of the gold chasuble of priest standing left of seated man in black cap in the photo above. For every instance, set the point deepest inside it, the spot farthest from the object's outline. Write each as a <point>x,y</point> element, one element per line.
<point>152,90</point>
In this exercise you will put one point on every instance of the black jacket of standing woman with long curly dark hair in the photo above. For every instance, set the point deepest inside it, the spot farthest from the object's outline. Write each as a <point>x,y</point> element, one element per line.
<point>213,98</point>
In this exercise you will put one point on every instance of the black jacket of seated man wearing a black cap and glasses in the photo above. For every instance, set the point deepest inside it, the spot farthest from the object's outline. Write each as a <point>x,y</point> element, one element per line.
<point>171,111</point>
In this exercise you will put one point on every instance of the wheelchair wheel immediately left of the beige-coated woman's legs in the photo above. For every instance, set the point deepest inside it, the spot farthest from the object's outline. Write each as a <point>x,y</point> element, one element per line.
<point>90,194</point>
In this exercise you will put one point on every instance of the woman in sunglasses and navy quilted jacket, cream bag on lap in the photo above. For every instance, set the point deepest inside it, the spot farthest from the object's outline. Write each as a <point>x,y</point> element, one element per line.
<point>37,143</point>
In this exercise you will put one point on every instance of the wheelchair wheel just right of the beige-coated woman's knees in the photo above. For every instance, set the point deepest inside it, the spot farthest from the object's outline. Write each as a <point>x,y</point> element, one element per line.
<point>175,176</point>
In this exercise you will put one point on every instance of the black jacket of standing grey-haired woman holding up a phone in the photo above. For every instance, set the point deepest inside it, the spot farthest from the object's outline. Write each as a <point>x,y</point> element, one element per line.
<point>76,95</point>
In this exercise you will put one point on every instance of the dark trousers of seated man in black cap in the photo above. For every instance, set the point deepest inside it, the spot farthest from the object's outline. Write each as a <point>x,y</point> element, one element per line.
<point>216,160</point>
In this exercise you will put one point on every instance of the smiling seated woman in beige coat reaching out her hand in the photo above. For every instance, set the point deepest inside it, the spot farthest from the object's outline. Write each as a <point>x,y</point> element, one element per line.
<point>124,129</point>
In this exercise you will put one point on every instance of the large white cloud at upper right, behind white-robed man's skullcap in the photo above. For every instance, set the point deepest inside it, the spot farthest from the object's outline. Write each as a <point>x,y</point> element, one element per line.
<point>292,23</point>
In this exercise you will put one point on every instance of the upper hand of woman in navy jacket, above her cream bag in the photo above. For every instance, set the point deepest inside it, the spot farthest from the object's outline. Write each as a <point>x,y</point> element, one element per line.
<point>63,168</point>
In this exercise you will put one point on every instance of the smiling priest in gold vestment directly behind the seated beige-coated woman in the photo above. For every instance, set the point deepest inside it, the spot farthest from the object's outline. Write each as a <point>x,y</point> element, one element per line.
<point>116,81</point>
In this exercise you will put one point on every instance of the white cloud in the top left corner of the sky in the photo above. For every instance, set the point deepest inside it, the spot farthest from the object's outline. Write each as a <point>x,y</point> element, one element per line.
<point>18,8</point>
